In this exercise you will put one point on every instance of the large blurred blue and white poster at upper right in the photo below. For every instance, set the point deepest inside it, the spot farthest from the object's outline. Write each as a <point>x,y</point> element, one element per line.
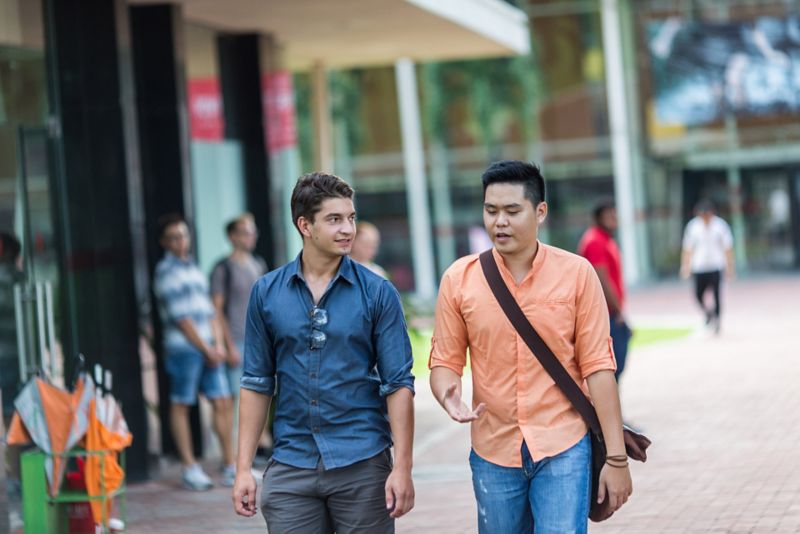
<point>702,71</point>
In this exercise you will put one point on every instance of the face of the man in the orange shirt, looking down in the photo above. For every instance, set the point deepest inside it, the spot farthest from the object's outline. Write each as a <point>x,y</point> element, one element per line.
<point>510,219</point>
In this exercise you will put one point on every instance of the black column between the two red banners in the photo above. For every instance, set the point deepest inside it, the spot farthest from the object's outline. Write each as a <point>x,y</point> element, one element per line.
<point>240,63</point>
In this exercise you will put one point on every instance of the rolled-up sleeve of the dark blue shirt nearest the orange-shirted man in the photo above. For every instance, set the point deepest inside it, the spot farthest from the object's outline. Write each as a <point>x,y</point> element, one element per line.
<point>392,346</point>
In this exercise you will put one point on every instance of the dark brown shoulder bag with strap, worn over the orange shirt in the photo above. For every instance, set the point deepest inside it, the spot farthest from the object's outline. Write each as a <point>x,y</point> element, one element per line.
<point>635,444</point>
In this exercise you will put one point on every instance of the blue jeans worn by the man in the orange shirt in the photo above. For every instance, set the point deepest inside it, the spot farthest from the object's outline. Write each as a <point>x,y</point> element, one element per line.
<point>553,493</point>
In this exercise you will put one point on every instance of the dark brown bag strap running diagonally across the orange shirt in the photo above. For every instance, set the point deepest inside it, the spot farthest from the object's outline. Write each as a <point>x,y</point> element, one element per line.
<point>537,345</point>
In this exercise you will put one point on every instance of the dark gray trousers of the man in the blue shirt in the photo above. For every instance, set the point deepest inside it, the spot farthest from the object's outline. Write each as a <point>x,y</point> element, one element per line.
<point>347,500</point>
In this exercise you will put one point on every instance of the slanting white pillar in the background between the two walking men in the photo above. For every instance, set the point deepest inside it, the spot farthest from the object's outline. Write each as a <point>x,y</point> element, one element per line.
<point>416,186</point>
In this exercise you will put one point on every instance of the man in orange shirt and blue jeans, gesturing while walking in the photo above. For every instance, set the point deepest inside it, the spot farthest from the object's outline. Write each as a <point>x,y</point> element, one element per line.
<point>531,453</point>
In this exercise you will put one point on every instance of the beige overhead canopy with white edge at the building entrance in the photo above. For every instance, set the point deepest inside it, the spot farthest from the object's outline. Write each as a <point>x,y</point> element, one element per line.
<point>351,33</point>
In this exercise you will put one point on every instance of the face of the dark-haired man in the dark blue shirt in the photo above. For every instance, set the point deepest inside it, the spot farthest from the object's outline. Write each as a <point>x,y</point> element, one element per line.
<point>333,229</point>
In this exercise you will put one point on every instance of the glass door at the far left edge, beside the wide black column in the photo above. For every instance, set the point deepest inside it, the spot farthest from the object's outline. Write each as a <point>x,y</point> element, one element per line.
<point>28,260</point>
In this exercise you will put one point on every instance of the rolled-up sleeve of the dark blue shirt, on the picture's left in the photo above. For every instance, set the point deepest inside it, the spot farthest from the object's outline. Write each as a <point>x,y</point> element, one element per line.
<point>259,355</point>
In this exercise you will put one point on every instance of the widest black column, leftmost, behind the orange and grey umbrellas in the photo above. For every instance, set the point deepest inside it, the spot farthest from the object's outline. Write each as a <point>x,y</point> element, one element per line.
<point>96,198</point>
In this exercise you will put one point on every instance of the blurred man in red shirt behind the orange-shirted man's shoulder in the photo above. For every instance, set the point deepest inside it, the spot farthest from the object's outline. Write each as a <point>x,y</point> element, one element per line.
<point>598,246</point>
